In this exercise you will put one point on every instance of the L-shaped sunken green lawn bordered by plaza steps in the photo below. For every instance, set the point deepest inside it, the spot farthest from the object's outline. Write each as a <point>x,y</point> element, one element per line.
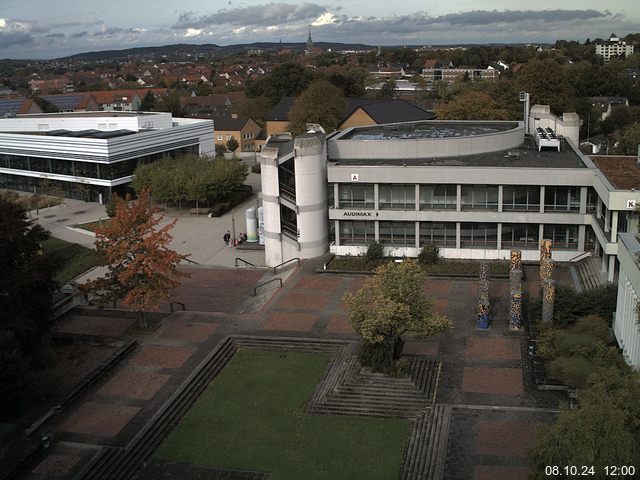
<point>251,417</point>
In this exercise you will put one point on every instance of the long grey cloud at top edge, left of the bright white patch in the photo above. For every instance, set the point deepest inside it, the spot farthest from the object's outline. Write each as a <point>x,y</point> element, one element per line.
<point>257,15</point>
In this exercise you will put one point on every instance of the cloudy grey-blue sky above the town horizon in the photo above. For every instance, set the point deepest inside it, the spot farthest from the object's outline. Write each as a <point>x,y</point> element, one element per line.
<point>58,28</point>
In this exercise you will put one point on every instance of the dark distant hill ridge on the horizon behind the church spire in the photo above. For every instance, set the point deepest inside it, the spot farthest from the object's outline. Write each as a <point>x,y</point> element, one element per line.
<point>207,49</point>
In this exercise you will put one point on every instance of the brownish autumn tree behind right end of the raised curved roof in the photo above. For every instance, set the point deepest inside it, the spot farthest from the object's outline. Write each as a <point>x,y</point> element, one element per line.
<point>472,106</point>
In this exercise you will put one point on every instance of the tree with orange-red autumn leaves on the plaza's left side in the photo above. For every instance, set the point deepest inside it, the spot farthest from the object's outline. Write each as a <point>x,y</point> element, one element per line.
<point>141,269</point>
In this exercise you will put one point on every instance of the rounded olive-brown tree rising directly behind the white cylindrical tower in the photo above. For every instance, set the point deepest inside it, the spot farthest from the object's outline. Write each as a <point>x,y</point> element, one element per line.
<point>321,103</point>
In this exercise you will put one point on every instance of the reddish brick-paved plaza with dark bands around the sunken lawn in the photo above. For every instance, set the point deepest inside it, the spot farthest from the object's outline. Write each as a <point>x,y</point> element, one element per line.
<point>485,376</point>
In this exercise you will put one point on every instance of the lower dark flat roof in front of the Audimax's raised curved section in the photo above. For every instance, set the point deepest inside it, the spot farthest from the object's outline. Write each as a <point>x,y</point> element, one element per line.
<point>524,156</point>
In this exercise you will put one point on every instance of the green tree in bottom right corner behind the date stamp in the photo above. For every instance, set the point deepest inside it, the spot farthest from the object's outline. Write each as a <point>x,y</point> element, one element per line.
<point>603,430</point>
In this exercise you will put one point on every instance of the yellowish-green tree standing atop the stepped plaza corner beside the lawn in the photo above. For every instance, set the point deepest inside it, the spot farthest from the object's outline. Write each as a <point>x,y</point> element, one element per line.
<point>389,304</point>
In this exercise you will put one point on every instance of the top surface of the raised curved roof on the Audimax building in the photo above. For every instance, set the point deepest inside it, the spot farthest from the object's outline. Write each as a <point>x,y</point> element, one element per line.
<point>430,129</point>
